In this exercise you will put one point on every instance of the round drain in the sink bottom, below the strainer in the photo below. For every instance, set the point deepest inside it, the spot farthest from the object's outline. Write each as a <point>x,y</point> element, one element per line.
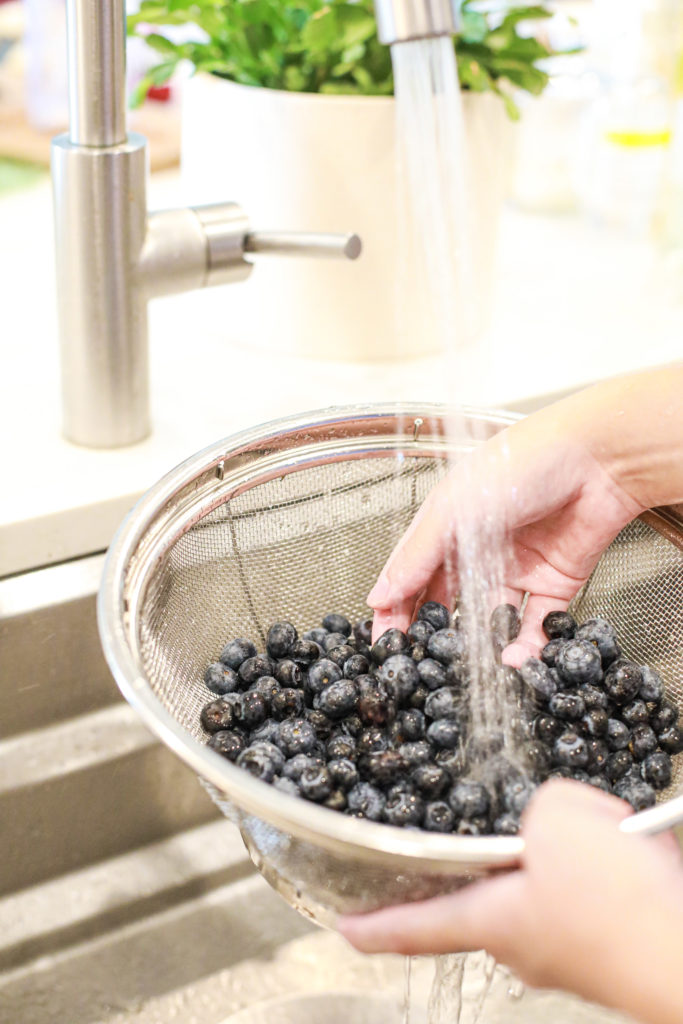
<point>323,1008</point>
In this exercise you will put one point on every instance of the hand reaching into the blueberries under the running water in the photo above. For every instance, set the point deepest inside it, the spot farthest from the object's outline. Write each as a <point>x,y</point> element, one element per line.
<point>557,508</point>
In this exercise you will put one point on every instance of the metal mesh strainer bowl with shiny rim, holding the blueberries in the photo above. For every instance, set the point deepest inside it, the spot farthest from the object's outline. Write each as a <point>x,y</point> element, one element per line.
<point>291,521</point>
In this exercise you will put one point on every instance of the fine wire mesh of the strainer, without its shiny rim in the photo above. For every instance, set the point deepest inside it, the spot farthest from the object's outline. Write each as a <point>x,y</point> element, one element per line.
<point>313,541</point>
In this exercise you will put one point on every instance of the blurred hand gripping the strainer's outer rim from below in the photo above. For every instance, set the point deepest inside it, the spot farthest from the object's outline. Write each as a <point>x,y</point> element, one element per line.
<point>591,910</point>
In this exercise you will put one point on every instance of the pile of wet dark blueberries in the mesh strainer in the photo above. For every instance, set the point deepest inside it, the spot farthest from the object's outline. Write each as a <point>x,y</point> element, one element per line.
<point>382,732</point>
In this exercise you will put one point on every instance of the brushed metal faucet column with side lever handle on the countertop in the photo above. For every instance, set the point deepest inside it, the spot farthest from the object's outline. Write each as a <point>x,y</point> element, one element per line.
<point>113,257</point>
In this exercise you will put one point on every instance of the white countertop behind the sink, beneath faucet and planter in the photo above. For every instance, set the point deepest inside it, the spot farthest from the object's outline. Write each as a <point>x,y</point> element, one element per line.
<point>573,306</point>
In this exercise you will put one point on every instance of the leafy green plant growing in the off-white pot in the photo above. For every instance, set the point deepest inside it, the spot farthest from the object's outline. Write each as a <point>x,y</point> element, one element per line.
<point>331,47</point>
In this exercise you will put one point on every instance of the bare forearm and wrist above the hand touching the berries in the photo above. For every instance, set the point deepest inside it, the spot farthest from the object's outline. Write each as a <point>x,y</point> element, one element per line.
<point>633,426</point>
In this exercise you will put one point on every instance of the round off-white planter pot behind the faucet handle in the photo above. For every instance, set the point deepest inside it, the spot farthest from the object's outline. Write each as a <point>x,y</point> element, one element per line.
<point>310,162</point>
